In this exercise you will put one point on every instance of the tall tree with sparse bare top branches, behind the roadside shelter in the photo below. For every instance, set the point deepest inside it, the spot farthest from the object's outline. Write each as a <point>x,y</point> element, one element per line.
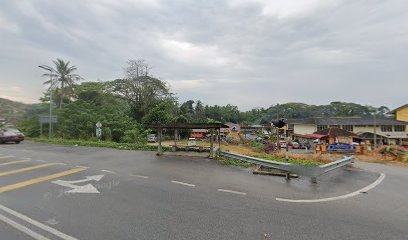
<point>141,90</point>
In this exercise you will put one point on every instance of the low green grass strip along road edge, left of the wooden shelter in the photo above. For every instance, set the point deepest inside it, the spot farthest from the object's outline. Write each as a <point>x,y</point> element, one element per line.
<point>105,144</point>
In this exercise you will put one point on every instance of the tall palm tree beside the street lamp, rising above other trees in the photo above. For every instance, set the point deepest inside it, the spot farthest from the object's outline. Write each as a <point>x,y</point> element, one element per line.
<point>64,80</point>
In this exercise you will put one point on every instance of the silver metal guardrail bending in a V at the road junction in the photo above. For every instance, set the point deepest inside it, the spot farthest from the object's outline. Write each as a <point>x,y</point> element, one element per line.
<point>304,170</point>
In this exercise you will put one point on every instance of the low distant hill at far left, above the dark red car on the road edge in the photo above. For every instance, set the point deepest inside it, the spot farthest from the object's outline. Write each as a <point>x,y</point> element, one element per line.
<point>12,111</point>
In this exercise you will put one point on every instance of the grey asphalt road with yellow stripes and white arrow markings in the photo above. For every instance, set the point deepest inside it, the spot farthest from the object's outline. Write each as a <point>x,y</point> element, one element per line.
<point>45,194</point>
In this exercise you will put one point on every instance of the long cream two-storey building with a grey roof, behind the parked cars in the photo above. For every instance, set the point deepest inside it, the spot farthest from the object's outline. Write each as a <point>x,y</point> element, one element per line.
<point>387,130</point>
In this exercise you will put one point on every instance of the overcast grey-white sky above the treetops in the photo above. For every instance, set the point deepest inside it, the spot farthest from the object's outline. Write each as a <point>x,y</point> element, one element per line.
<point>250,53</point>
